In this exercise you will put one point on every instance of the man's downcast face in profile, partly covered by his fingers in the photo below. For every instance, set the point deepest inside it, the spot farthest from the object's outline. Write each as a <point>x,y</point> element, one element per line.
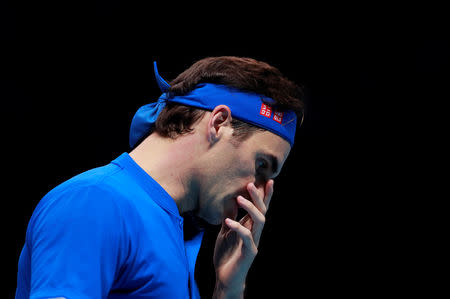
<point>229,168</point>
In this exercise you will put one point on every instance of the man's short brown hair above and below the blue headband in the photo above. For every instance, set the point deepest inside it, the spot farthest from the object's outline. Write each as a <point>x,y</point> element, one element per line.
<point>245,74</point>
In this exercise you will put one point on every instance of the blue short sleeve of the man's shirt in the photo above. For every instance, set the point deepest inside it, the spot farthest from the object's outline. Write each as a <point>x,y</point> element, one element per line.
<point>76,244</point>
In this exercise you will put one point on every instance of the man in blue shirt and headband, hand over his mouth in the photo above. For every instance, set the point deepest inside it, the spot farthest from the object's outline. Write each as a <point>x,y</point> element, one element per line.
<point>211,144</point>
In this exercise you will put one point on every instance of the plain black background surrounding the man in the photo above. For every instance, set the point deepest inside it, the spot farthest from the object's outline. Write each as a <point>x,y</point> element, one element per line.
<point>73,74</point>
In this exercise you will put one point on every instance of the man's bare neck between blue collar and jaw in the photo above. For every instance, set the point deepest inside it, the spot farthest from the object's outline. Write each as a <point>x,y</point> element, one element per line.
<point>169,163</point>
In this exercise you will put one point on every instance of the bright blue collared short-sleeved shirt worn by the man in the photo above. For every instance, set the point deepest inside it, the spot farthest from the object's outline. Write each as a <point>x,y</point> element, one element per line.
<point>110,232</point>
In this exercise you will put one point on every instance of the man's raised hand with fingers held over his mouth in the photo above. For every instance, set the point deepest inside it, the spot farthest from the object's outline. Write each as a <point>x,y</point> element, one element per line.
<point>237,242</point>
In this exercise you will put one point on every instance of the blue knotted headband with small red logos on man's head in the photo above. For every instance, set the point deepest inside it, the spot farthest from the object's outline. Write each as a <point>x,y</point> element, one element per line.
<point>248,107</point>
